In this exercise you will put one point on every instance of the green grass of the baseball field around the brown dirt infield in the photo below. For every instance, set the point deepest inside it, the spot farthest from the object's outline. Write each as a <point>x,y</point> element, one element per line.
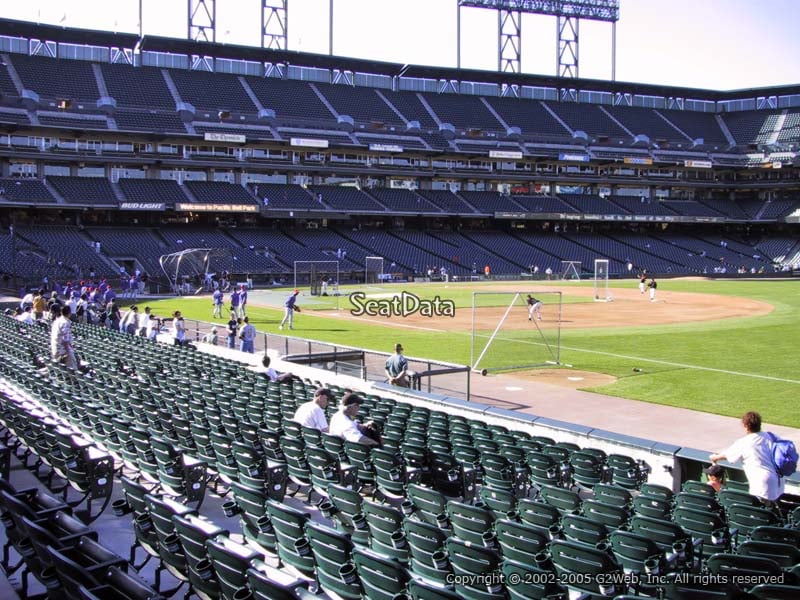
<point>724,367</point>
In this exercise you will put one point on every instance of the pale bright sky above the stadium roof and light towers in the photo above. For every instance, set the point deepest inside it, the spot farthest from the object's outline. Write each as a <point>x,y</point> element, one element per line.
<point>716,44</point>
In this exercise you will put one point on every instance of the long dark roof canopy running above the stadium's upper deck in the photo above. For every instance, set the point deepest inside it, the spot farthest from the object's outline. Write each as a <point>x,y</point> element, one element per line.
<point>150,43</point>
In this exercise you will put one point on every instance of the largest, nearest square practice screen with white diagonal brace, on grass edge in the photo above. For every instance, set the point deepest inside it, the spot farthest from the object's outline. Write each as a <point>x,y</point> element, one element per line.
<point>512,332</point>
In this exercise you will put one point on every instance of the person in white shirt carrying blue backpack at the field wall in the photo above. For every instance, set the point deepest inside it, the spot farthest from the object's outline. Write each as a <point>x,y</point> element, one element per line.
<point>758,450</point>
